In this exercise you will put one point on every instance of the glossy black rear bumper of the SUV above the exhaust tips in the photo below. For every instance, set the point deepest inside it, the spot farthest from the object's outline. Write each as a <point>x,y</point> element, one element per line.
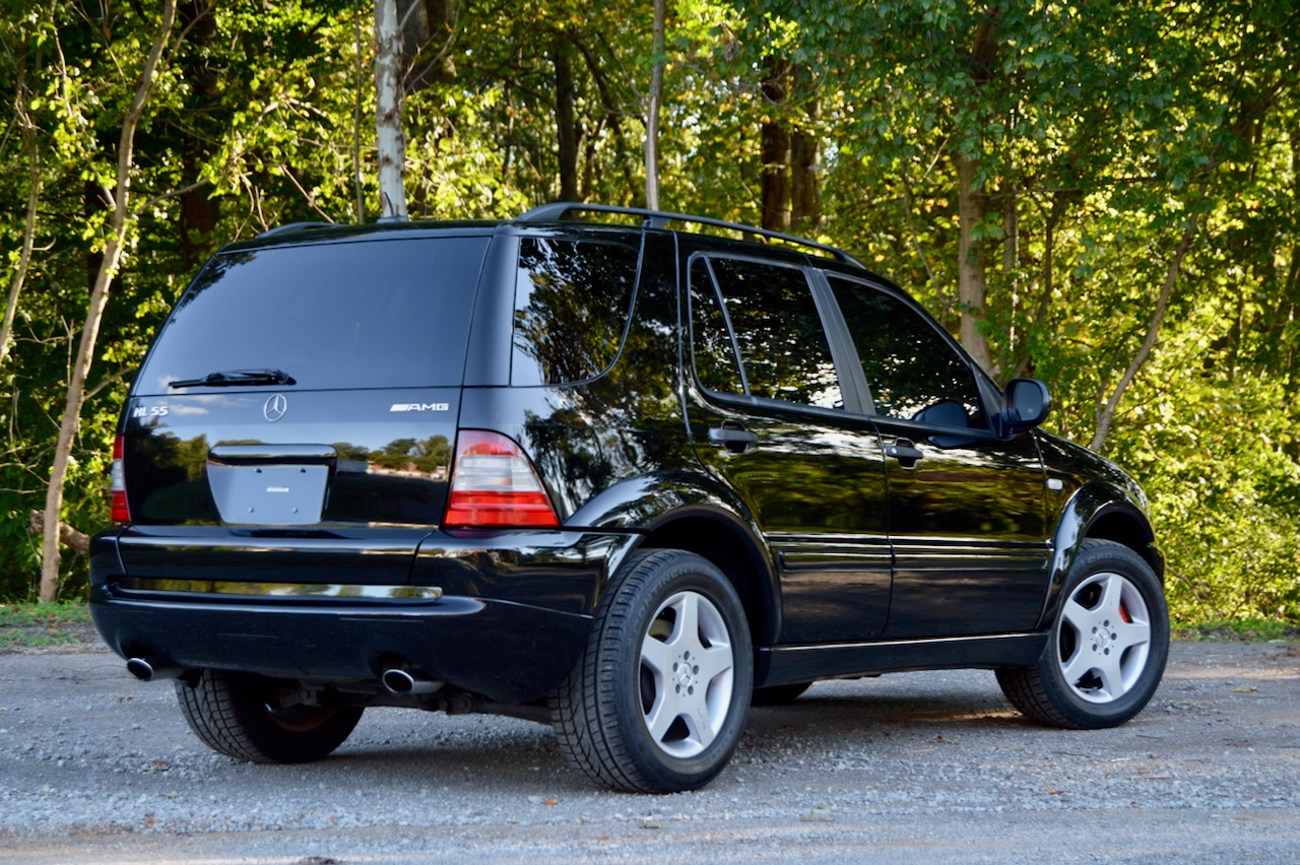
<point>525,598</point>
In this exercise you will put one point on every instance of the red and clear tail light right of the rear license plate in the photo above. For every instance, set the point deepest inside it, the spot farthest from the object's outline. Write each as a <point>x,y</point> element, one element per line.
<point>495,486</point>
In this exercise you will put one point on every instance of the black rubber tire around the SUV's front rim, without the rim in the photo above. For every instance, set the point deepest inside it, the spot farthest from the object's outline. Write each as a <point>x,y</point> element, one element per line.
<point>1113,559</point>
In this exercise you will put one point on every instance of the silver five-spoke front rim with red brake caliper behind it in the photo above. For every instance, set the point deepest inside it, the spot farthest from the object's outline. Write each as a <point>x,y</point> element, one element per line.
<point>1104,638</point>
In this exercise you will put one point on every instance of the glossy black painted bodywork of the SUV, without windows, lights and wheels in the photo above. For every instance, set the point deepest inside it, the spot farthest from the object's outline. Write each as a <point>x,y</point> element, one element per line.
<point>859,543</point>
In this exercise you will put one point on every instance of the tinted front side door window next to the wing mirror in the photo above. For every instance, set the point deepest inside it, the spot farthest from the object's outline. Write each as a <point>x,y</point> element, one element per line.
<point>913,373</point>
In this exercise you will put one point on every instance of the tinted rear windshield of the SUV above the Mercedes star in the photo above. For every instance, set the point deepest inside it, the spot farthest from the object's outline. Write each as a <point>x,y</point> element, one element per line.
<point>380,314</point>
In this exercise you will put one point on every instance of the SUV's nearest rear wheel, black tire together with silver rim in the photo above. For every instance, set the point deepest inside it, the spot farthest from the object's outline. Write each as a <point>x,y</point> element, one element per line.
<point>660,699</point>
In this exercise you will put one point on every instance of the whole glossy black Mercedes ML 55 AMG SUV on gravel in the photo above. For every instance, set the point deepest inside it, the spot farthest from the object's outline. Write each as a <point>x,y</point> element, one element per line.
<point>619,479</point>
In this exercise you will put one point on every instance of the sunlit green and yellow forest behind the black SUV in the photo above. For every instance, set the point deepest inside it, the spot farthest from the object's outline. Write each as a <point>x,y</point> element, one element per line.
<point>1104,194</point>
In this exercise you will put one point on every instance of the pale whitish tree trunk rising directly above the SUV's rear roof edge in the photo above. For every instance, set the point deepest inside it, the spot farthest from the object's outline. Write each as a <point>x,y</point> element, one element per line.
<point>388,111</point>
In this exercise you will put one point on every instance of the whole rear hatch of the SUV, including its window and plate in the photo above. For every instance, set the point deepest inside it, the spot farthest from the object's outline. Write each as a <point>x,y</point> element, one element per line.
<point>302,400</point>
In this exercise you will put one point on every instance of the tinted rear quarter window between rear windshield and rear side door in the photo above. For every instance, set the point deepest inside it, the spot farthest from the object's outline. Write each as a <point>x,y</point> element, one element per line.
<point>573,300</point>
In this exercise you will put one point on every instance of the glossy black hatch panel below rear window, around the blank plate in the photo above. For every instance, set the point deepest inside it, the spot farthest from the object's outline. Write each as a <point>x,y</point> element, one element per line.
<point>385,466</point>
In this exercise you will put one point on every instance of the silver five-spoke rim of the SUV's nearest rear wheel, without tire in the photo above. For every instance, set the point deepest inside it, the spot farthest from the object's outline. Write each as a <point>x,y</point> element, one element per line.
<point>687,674</point>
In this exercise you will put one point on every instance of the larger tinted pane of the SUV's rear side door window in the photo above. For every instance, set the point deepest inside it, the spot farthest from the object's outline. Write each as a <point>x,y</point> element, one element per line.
<point>783,347</point>
